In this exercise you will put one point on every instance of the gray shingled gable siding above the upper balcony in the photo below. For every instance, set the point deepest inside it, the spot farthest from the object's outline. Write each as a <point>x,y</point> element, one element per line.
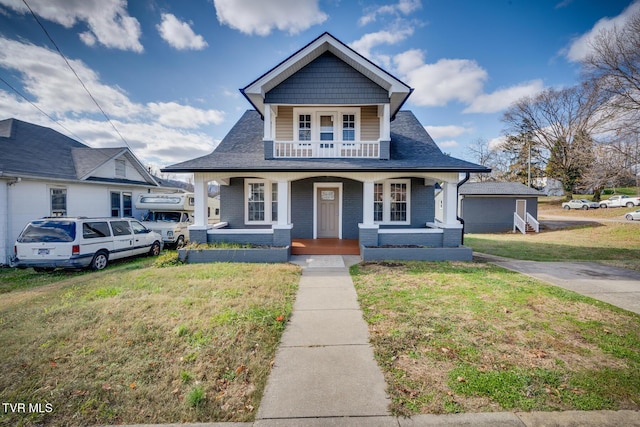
<point>327,80</point>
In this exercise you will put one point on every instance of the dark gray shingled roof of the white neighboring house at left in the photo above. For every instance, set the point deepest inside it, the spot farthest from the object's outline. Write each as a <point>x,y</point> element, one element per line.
<point>29,150</point>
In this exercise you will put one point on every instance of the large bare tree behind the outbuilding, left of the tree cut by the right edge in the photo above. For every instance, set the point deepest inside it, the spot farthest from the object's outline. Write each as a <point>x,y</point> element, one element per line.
<point>560,124</point>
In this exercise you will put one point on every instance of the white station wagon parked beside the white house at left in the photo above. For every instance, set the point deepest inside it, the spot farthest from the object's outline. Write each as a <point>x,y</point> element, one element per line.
<point>50,243</point>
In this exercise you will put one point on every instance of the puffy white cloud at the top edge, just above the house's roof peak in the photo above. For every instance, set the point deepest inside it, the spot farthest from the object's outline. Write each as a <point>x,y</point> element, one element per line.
<point>261,17</point>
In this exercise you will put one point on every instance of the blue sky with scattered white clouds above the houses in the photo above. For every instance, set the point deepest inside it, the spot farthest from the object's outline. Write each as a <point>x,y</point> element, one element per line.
<point>167,73</point>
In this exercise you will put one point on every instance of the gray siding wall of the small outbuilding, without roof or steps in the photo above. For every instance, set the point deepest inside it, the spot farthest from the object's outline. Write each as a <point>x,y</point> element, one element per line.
<point>493,214</point>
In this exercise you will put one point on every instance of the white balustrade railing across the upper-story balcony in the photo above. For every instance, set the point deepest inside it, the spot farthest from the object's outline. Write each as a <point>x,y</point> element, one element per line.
<point>326,149</point>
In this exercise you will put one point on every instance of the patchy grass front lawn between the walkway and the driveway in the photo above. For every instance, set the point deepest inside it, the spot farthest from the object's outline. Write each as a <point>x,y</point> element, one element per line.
<point>472,337</point>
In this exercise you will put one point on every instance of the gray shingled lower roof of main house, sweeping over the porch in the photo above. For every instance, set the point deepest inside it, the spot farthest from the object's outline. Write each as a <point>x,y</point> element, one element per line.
<point>242,149</point>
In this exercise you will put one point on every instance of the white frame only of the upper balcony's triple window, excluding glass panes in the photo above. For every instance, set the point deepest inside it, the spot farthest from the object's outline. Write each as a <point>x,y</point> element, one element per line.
<point>315,114</point>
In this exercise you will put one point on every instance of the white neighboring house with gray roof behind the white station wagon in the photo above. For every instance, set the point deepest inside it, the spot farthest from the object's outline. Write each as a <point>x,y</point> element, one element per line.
<point>44,173</point>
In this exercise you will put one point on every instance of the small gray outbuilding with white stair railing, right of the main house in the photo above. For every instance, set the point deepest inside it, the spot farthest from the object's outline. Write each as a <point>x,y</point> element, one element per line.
<point>494,207</point>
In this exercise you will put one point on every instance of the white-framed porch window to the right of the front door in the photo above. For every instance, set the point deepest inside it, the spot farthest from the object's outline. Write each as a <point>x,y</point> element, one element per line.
<point>391,201</point>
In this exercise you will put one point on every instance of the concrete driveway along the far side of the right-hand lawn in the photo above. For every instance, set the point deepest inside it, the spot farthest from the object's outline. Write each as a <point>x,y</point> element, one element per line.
<point>616,286</point>
